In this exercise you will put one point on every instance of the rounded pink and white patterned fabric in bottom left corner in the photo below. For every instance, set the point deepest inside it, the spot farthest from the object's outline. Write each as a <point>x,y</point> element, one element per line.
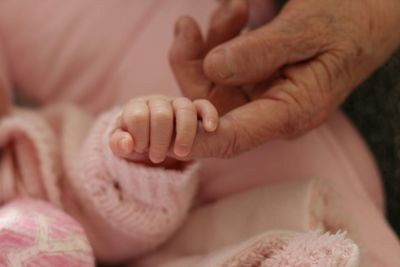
<point>33,233</point>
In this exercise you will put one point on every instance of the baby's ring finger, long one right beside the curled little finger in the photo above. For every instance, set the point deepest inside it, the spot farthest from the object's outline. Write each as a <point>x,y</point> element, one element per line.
<point>186,126</point>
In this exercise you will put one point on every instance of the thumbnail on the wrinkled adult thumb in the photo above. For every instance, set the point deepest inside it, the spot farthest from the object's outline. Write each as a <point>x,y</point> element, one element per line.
<point>222,64</point>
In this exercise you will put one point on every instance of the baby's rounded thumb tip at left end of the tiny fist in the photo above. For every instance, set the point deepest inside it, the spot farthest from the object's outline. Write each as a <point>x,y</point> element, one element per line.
<point>121,143</point>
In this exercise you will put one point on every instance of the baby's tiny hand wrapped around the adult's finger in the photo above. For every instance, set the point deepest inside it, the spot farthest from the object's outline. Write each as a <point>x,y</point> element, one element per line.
<point>151,127</point>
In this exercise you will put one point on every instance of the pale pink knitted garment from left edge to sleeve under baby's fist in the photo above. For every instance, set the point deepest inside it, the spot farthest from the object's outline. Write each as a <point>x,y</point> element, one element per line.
<point>51,156</point>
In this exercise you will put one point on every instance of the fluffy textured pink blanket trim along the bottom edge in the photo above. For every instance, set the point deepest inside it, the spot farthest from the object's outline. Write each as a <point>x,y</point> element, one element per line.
<point>278,249</point>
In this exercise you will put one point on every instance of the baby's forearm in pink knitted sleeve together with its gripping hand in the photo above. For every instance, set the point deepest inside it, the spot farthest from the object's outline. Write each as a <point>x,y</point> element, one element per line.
<point>127,204</point>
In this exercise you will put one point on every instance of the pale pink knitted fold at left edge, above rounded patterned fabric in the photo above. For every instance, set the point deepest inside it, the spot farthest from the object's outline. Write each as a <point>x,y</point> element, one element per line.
<point>30,163</point>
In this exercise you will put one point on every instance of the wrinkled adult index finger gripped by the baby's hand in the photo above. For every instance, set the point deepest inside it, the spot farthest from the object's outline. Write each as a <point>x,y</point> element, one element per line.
<point>290,107</point>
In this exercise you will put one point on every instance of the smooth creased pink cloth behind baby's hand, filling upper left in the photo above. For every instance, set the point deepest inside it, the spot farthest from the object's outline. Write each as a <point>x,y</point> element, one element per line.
<point>49,61</point>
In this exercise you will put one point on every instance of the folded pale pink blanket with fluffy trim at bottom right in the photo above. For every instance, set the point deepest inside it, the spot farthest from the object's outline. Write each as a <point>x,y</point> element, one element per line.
<point>244,230</point>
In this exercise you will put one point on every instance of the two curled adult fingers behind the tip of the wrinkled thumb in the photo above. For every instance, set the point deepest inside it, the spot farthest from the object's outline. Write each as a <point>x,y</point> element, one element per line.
<point>188,49</point>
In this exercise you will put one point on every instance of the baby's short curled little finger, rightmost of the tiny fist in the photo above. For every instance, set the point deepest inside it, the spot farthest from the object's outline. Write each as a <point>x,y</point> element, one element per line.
<point>208,113</point>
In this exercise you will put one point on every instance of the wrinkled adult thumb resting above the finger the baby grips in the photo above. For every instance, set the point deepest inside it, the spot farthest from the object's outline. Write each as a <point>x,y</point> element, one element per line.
<point>255,56</point>
